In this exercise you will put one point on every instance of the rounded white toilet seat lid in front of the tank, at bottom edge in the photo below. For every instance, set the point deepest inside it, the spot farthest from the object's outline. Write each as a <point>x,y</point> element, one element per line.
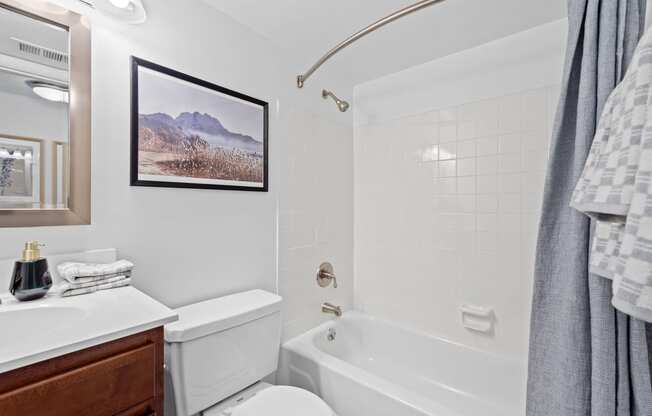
<point>283,401</point>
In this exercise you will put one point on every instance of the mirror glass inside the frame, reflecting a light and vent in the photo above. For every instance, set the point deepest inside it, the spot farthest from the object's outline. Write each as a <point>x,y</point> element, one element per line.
<point>34,75</point>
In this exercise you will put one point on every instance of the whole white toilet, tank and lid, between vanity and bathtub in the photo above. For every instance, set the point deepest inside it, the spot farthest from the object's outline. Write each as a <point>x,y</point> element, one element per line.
<point>218,352</point>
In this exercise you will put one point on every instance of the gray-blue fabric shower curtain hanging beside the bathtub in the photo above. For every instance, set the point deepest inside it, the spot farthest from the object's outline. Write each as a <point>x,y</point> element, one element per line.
<point>586,359</point>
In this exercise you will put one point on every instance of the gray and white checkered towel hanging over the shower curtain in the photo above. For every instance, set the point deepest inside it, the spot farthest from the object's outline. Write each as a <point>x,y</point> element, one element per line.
<point>615,188</point>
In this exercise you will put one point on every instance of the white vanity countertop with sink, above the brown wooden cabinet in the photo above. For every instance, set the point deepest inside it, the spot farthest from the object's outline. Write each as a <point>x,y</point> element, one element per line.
<point>42,329</point>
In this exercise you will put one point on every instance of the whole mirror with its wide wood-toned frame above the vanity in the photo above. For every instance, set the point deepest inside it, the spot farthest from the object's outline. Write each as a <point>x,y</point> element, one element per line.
<point>45,115</point>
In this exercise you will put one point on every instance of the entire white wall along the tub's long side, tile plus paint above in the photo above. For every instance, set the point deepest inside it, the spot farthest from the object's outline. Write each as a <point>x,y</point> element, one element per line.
<point>449,167</point>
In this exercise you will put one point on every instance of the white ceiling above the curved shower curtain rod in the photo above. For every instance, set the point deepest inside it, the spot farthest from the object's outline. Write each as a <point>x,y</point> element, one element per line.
<point>309,28</point>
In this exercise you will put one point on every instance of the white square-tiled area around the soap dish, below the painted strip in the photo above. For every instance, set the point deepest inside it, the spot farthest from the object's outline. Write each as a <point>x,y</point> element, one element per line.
<point>452,197</point>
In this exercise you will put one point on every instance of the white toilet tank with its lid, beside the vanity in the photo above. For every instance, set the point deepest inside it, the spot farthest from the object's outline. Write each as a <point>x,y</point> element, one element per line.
<point>220,346</point>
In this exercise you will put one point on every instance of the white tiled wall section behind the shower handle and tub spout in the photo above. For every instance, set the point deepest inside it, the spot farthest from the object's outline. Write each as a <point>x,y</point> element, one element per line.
<point>316,218</point>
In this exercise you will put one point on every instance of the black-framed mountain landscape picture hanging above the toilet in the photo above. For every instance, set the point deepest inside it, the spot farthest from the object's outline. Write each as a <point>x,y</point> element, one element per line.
<point>189,133</point>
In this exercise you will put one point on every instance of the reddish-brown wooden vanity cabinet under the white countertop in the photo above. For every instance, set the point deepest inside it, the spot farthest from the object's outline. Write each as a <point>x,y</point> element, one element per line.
<point>119,378</point>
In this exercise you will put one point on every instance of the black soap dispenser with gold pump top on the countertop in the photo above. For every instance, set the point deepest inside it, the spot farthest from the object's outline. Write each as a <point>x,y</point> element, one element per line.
<point>31,278</point>
